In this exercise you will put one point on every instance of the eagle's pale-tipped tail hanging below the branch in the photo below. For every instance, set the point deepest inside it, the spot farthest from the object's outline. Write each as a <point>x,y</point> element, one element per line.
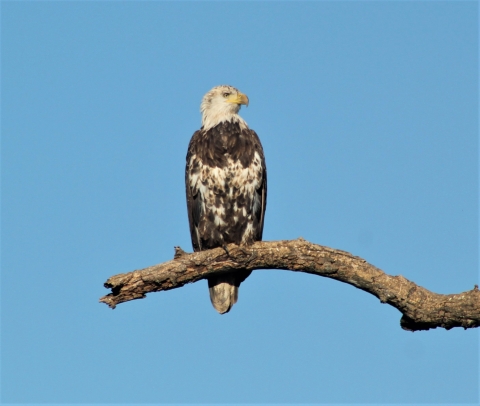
<point>223,292</point>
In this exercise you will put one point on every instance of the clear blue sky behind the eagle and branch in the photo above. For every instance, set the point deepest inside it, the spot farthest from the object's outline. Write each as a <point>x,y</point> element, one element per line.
<point>368,114</point>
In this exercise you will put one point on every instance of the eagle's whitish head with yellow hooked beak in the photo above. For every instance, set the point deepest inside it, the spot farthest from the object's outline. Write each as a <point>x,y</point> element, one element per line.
<point>222,103</point>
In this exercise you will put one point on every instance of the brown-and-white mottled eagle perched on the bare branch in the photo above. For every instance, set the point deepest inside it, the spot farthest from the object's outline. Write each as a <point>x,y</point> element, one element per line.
<point>226,186</point>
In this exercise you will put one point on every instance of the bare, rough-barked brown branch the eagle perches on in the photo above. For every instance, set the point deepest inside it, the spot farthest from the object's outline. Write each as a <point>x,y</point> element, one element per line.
<point>421,309</point>
